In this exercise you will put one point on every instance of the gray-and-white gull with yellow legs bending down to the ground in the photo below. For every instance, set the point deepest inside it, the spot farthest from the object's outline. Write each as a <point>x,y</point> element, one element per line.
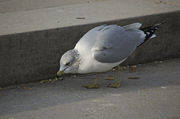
<point>103,48</point>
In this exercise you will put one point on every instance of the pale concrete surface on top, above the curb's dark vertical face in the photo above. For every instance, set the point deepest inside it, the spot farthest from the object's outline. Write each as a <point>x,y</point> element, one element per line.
<point>17,16</point>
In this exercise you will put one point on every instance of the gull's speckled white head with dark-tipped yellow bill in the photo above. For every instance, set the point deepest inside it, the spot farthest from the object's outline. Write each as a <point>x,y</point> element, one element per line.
<point>68,62</point>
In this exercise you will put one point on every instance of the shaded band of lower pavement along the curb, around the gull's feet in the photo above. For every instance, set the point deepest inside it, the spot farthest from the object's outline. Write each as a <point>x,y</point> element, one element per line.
<point>35,96</point>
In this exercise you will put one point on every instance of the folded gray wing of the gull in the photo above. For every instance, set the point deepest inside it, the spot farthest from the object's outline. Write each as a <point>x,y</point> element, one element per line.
<point>116,43</point>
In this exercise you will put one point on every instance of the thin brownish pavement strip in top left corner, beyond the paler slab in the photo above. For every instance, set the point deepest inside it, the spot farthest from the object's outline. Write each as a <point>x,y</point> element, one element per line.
<point>26,5</point>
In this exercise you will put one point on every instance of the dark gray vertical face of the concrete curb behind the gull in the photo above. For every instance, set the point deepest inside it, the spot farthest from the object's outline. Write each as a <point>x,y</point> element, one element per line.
<point>33,56</point>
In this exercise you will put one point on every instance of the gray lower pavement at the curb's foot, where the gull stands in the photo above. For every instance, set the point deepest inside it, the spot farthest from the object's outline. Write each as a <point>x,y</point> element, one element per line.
<point>155,95</point>
